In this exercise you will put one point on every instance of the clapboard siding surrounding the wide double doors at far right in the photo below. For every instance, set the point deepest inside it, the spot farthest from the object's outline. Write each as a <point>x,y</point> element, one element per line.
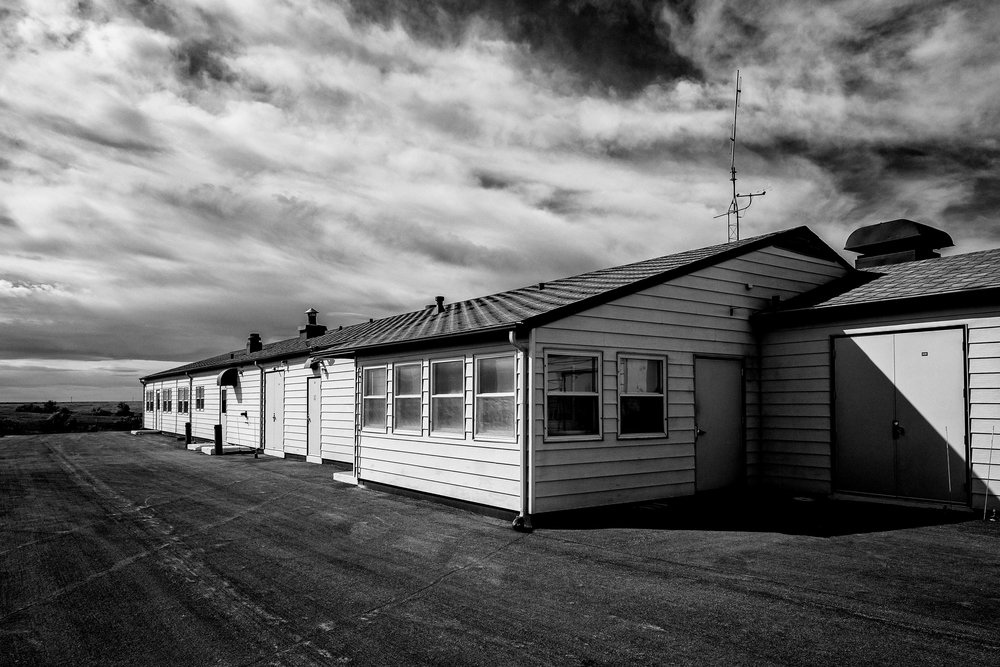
<point>797,443</point>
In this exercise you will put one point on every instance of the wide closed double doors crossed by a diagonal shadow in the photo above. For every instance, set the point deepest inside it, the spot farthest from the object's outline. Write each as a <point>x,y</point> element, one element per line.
<point>900,414</point>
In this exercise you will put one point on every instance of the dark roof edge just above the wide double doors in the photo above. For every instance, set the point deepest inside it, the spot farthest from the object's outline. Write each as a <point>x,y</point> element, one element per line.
<point>942,300</point>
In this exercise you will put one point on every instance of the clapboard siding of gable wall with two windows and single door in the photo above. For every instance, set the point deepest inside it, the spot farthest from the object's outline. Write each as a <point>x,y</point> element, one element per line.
<point>703,313</point>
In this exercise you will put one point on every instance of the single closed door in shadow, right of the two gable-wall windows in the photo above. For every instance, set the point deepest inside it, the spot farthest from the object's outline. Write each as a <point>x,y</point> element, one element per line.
<point>718,399</point>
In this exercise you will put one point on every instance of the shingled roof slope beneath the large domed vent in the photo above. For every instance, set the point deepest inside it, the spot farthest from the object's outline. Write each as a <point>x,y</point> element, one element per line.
<point>927,277</point>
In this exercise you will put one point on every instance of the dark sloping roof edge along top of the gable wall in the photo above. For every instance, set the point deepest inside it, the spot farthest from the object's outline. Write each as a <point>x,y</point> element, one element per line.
<point>780,239</point>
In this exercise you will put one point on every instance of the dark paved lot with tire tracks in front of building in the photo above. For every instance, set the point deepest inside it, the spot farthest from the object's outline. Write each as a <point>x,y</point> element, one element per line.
<point>116,549</point>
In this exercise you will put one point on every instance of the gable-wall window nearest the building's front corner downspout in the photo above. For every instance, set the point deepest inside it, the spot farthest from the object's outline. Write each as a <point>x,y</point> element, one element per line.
<point>572,395</point>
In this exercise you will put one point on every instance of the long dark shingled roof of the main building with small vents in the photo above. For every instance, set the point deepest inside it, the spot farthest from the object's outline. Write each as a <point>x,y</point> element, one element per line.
<point>524,307</point>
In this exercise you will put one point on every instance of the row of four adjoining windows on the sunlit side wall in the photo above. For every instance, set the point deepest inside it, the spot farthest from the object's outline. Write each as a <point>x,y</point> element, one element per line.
<point>493,389</point>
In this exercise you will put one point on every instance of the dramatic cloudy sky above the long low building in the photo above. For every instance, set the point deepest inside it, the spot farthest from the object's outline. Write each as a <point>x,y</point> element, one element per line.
<point>174,175</point>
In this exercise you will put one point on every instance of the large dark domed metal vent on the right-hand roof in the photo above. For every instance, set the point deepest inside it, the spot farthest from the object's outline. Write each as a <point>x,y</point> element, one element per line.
<point>895,242</point>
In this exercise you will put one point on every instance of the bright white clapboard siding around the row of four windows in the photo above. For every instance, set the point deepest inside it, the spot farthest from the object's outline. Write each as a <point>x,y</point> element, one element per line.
<point>456,465</point>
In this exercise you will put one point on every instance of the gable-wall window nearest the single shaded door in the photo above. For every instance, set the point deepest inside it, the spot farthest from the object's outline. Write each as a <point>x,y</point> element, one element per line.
<point>641,396</point>
